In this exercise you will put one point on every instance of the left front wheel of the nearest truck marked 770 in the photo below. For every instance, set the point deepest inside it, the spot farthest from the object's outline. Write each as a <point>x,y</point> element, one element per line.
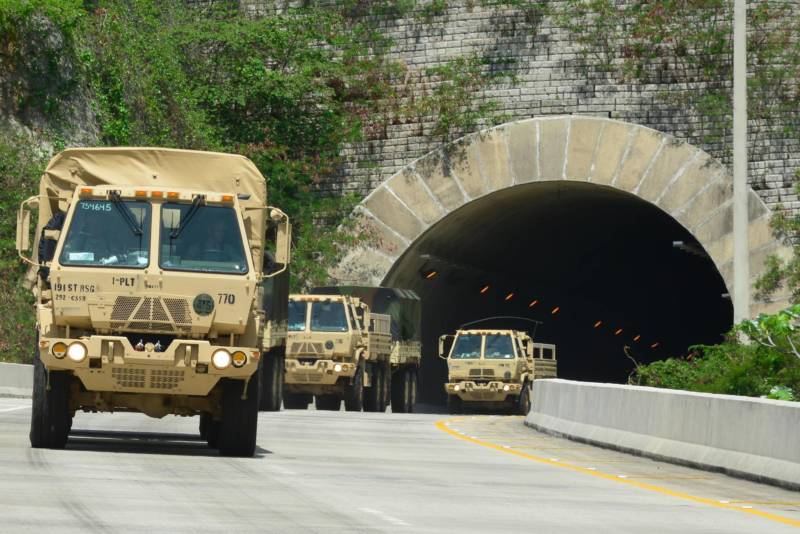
<point>50,417</point>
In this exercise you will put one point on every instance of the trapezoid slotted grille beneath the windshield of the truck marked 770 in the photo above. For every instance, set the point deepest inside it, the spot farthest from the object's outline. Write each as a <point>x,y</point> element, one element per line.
<point>151,314</point>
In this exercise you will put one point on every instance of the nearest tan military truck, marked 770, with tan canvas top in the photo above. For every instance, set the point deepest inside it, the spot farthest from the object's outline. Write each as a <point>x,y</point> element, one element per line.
<point>158,290</point>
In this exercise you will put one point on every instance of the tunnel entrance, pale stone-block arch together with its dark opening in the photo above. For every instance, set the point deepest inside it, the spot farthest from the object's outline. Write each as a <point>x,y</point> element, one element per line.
<point>555,209</point>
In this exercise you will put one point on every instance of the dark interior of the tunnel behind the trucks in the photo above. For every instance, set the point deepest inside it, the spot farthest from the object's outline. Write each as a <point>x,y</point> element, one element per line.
<point>568,254</point>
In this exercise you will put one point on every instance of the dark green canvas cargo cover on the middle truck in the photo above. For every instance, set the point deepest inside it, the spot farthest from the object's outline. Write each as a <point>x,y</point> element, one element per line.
<point>404,305</point>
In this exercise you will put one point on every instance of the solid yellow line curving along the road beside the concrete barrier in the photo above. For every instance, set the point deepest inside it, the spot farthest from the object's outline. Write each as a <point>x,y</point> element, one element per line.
<point>442,425</point>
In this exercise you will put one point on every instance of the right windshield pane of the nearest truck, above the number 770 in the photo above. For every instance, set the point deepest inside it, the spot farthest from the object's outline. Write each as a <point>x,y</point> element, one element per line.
<point>201,238</point>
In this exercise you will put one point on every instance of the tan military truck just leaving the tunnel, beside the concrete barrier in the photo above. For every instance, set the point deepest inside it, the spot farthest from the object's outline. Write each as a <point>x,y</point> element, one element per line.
<point>494,369</point>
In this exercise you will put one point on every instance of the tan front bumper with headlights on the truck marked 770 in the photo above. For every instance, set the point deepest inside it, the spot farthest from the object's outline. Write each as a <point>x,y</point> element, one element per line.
<point>182,368</point>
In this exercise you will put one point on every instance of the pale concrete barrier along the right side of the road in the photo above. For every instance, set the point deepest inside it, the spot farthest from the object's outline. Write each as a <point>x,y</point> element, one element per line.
<point>757,439</point>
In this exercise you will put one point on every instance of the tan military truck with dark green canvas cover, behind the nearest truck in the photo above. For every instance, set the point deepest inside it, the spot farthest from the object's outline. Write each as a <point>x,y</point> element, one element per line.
<point>357,344</point>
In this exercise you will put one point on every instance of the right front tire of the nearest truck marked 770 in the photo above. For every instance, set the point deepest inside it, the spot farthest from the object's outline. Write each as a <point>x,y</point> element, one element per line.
<point>239,424</point>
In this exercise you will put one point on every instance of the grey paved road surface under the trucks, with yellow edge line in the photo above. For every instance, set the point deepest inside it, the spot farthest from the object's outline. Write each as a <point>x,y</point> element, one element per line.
<point>346,472</point>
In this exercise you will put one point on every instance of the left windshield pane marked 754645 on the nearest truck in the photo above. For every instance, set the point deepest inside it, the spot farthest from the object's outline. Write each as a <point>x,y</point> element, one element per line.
<point>102,235</point>
